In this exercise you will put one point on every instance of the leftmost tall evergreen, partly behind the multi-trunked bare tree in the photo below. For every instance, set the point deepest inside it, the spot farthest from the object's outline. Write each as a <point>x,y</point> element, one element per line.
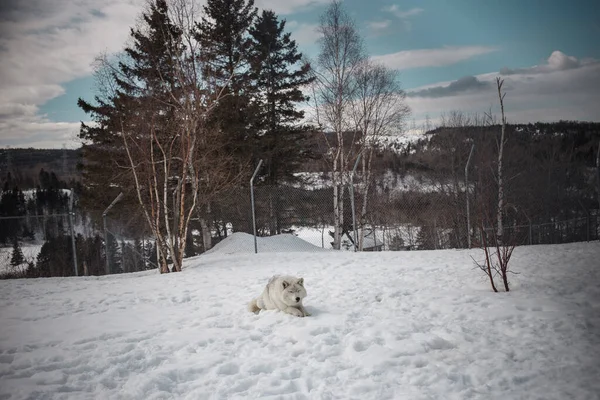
<point>141,103</point>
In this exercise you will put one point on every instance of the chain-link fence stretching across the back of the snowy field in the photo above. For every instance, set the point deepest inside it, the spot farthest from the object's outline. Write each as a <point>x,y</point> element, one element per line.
<point>396,214</point>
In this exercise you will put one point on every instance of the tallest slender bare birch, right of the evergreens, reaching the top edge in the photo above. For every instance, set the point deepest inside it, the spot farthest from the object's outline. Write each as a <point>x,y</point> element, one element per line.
<point>340,57</point>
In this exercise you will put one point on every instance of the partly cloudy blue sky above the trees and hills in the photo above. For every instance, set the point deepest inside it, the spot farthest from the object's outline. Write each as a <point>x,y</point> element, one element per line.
<point>448,54</point>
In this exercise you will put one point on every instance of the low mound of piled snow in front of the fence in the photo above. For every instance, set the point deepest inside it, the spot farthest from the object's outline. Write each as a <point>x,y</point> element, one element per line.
<point>240,242</point>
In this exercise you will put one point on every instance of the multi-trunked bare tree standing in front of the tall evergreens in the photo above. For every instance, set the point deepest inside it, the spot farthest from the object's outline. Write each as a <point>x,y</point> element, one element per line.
<point>176,162</point>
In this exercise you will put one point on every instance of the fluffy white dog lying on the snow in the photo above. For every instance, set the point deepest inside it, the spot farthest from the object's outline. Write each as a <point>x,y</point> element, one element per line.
<point>283,293</point>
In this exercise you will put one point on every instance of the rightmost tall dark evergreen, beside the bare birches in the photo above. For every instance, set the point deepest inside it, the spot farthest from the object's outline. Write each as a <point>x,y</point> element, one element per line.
<point>277,69</point>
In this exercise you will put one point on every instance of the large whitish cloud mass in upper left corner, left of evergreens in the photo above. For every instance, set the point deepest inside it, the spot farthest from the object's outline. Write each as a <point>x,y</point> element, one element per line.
<point>45,44</point>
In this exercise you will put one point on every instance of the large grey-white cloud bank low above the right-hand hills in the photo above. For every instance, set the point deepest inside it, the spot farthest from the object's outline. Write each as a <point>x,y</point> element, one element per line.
<point>563,87</point>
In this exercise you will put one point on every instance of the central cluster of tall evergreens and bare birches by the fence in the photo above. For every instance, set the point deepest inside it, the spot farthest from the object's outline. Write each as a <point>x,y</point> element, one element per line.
<point>183,115</point>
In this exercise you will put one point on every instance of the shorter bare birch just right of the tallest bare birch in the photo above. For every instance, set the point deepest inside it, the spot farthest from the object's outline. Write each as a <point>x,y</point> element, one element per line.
<point>378,109</point>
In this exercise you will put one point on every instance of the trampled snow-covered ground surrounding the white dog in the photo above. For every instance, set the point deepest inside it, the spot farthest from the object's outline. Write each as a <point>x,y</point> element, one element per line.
<point>391,325</point>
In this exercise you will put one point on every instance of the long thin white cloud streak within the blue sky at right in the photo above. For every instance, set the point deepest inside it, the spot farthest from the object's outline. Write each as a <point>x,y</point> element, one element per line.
<point>439,57</point>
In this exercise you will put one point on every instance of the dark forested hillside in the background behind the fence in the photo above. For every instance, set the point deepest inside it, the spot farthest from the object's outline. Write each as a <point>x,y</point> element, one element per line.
<point>551,166</point>
